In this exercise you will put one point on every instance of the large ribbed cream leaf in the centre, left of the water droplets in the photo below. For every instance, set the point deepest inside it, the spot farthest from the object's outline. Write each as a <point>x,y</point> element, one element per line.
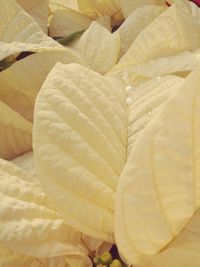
<point>80,145</point>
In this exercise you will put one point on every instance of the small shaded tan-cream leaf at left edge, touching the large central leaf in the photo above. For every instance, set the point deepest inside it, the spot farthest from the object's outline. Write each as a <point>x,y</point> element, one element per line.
<point>15,133</point>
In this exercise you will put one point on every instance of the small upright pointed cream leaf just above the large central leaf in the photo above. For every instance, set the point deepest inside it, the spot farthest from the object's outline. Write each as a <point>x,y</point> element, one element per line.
<point>99,48</point>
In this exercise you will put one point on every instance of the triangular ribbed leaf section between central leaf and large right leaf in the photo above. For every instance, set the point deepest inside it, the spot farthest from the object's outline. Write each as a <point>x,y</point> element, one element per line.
<point>145,102</point>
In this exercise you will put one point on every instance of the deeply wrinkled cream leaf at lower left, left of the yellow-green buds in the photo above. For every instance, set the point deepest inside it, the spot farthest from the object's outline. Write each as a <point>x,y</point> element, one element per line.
<point>29,225</point>
